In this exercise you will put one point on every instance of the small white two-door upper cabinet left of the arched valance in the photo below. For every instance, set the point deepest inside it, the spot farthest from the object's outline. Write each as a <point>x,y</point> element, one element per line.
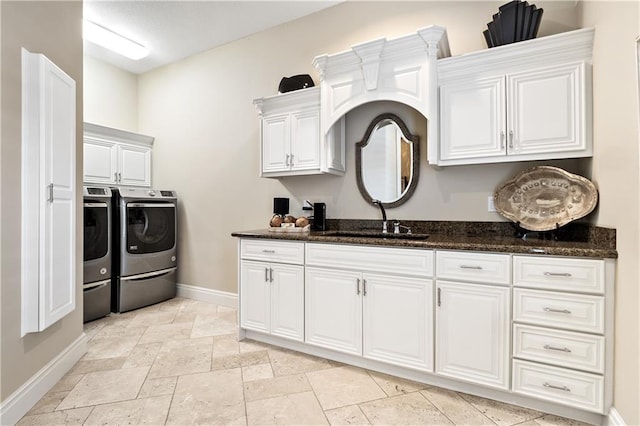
<point>291,142</point>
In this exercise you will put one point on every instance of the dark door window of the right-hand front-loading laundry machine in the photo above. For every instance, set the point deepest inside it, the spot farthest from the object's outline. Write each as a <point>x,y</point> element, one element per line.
<point>151,227</point>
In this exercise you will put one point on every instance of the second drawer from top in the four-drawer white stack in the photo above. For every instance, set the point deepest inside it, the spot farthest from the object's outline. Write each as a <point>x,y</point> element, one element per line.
<point>577,312</point>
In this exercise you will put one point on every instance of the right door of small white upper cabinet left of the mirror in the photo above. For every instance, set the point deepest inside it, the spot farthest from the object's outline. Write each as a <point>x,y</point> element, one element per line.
<point>305,140</point>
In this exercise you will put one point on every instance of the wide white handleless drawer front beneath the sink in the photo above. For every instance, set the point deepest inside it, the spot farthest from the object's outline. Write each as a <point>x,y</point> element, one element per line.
<point>414,262</point>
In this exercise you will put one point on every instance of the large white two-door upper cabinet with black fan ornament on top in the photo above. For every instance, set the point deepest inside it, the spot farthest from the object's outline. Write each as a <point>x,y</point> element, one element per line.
<point>524,101</point>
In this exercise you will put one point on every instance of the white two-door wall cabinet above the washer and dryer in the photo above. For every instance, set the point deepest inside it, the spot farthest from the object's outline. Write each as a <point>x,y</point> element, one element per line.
<point>116,157</point>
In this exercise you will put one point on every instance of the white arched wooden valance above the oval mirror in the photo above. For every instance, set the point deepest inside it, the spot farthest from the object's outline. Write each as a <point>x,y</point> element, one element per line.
<point>401,70</point>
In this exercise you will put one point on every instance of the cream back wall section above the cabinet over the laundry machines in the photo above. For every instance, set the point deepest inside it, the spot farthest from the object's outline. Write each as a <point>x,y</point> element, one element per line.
<point>110,95</point>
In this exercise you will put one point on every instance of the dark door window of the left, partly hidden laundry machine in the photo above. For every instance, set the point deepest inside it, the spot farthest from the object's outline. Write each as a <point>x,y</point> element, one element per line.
<point>96,230</point>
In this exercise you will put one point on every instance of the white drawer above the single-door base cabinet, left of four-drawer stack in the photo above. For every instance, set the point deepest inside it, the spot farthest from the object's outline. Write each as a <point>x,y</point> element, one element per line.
<point>481,267</point>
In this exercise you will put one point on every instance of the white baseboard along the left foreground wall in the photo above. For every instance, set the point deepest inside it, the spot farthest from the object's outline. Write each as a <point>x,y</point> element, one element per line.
<point>26,396</point>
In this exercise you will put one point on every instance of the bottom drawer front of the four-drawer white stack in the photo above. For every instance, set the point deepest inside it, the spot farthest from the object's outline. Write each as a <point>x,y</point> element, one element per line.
<point>577,389</point>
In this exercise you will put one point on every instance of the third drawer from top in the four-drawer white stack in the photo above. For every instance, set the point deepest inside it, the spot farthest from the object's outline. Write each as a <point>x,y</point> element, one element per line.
<point>561,348</point>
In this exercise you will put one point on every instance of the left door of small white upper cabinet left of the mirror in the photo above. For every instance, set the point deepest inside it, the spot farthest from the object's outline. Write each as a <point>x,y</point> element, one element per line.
<point>276,142</point>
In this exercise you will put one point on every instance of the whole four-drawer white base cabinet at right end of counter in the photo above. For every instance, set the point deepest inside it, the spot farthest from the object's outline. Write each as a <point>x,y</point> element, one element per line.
<point>562,331</point>
